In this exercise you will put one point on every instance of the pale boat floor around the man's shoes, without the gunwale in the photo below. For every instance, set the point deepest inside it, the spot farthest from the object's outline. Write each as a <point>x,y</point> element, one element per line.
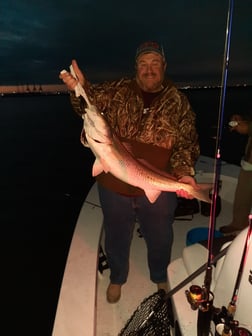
<point>112,318</point>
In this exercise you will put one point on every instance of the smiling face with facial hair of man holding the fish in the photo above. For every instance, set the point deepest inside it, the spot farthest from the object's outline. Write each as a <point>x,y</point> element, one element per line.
<point>150,70</point>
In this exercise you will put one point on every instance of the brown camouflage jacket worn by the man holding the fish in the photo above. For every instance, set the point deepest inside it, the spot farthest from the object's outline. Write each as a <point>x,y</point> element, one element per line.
<point>165,135</point>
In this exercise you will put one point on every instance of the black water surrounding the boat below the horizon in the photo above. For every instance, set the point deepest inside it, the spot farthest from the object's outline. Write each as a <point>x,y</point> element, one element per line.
<point>45,177</point>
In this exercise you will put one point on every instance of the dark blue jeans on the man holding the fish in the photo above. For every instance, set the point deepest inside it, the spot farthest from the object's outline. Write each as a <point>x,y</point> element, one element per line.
<point>155,221</point>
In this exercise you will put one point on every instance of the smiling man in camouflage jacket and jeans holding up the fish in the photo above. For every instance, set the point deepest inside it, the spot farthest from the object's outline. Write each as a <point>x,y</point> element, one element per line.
<point>155,120</point>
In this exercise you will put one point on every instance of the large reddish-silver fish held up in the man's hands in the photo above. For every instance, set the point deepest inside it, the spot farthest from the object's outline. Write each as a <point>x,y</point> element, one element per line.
<point>114,157</point>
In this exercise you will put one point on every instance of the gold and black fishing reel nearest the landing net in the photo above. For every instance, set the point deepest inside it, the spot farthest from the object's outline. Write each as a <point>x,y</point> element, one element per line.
<point>199,298</point>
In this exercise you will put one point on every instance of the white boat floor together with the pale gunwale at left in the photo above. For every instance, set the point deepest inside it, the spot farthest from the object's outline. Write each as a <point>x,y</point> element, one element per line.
<point>82,307</point>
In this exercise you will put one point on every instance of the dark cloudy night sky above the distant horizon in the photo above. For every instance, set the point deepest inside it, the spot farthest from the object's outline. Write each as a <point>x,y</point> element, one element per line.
<point>40,38</point>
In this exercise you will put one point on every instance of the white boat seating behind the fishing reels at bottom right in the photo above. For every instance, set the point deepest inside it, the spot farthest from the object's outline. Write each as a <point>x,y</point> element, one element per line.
<point>223,281</point>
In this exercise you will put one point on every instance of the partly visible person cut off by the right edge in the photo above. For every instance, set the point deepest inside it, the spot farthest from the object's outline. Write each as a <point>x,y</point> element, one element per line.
<point>243,194</point>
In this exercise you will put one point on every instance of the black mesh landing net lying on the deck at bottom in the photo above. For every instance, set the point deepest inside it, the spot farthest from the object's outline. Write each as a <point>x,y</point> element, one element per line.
<point>151,318</point>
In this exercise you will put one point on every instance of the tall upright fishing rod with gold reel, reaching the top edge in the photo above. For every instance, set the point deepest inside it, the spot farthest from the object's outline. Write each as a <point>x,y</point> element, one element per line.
<point>203,298</point>
